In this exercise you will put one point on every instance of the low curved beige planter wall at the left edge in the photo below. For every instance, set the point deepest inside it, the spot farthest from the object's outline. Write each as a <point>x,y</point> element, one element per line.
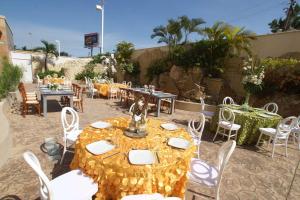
<point>5,137</point>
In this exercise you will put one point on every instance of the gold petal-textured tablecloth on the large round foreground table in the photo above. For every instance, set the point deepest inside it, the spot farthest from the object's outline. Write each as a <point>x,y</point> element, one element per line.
<point>116,177</point>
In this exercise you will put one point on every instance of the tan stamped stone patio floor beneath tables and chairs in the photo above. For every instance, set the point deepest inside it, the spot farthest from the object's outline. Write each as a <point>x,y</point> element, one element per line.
<point>250,174</point>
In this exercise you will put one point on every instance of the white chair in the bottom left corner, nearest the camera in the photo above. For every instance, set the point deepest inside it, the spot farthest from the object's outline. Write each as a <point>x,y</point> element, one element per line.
<point>73,185</point>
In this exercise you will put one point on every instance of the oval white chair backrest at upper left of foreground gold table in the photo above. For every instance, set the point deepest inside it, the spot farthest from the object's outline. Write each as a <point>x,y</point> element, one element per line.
<point>67,126</point>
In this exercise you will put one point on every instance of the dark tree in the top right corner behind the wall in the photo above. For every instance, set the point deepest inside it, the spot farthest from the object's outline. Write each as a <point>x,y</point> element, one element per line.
<point>291,21</point>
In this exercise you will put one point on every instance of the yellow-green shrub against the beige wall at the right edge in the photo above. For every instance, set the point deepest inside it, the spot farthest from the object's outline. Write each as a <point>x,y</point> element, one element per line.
<point>281,75</point>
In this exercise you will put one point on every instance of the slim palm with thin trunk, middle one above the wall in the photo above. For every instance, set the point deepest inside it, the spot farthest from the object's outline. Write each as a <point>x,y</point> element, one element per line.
<point>190,26</point>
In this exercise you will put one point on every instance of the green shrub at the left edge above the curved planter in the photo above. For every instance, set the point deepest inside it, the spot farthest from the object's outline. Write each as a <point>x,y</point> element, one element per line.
<point>9,78</point>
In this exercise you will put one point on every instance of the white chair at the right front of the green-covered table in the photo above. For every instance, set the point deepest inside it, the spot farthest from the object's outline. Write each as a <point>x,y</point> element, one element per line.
<point>278,135</point>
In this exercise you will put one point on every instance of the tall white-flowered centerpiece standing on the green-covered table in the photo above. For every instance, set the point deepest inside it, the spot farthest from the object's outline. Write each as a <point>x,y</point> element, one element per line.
<point>253,75</point>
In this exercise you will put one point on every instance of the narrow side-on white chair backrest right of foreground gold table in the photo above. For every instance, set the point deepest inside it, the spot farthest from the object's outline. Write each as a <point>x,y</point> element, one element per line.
<point>224,154</point>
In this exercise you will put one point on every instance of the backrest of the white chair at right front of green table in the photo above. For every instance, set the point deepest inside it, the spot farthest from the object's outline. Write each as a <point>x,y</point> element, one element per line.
<point>285,126</point>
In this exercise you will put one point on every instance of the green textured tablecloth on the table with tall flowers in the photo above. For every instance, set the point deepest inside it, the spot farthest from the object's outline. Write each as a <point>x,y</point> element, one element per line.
<point>250,122</point>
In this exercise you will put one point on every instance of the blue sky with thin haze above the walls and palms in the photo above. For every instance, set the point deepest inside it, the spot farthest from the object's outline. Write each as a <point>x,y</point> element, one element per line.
<point>130,20</point>
